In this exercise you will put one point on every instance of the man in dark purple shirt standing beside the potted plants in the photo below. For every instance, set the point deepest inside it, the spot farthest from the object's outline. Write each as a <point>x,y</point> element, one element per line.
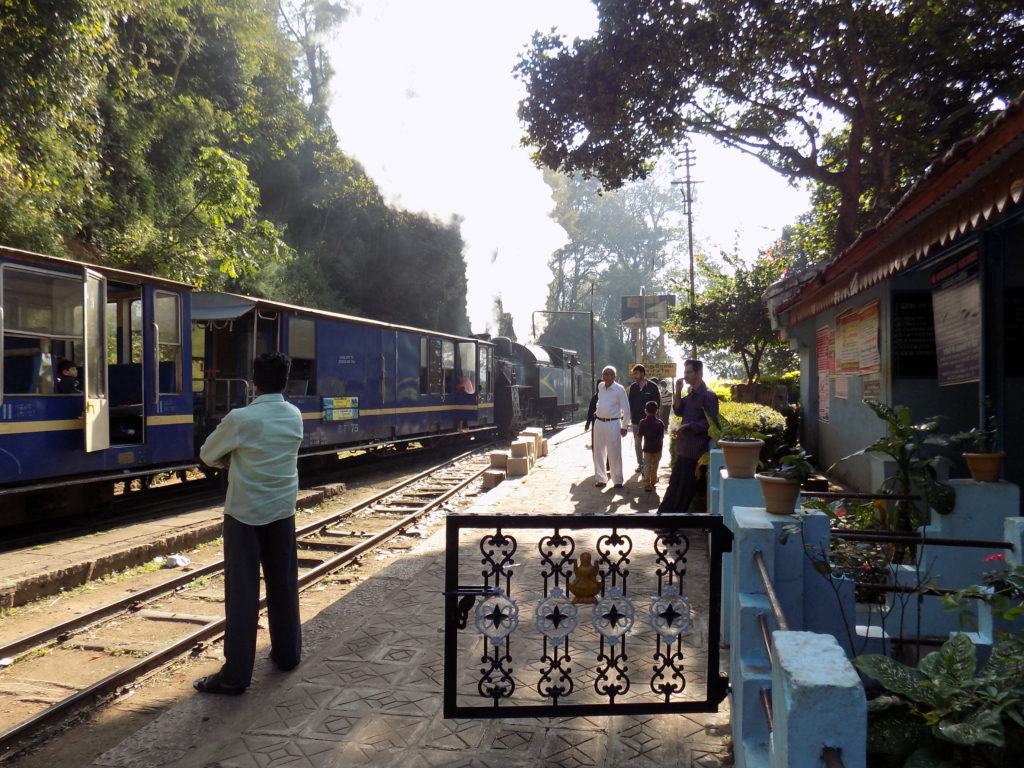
<point>692,443</point>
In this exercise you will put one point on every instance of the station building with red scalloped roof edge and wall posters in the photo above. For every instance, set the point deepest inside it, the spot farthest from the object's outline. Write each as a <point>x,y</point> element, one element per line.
<point>925,311</point>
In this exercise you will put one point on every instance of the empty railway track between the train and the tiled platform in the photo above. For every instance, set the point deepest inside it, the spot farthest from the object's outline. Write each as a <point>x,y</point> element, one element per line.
<point>112,648</point>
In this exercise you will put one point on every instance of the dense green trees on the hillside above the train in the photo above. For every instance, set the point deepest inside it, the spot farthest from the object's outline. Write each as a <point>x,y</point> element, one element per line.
<point>189,139</point>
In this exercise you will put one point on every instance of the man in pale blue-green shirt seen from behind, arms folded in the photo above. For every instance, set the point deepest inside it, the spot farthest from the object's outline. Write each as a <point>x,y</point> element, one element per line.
<point>259,446</point>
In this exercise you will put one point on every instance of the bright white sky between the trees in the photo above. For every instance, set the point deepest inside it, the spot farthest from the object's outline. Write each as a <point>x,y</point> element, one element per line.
<point>425,100</point>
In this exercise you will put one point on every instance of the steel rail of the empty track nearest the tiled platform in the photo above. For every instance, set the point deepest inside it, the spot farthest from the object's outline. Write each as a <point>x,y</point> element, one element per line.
<point>158,659</point>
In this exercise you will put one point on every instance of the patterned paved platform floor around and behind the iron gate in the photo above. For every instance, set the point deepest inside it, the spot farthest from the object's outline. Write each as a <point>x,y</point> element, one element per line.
<point>370,694</point>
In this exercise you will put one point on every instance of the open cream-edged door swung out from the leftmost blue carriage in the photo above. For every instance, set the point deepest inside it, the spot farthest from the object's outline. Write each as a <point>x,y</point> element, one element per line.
<point>98,423</point>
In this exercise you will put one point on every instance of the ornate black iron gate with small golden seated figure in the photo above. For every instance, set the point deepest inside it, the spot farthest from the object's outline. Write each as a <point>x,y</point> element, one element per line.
<point>538,621</point>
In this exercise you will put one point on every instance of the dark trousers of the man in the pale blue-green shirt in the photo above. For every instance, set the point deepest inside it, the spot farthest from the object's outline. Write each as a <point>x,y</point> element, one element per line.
<point>246,547</point>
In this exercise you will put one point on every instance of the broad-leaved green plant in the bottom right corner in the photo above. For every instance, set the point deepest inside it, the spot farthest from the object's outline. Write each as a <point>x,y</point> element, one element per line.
<point>967,715</point>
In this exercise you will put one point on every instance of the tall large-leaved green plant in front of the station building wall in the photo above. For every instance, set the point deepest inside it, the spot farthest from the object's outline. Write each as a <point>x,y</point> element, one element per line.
<point>905,444</point>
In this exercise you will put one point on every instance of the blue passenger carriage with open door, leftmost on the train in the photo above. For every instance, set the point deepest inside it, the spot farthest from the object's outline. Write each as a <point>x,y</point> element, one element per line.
<point>127,409</point>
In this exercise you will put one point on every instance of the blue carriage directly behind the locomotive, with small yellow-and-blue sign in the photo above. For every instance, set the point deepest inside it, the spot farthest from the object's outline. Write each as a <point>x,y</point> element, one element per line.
<point>358,382</point>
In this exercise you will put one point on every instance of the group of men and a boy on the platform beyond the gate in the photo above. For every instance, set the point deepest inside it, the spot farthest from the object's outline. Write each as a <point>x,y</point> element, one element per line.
<point>614,412</point>
